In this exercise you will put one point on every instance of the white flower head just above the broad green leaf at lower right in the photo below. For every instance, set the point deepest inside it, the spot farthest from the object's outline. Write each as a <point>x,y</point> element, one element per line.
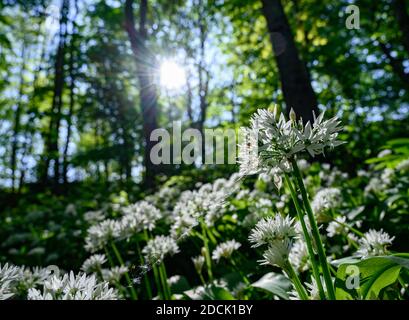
<point>374,243</point>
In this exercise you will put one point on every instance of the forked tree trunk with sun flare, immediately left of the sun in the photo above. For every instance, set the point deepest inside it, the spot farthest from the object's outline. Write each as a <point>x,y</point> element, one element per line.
<point>145,64</point>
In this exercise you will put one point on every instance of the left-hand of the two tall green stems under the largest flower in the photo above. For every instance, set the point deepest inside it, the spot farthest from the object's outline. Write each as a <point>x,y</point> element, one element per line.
<point>300,213</point>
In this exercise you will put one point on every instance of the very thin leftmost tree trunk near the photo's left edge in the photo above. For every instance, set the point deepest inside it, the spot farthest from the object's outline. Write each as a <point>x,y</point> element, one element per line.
<point>17,119</point>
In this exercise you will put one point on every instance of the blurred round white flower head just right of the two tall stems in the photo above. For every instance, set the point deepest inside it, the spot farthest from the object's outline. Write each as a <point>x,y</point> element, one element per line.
<point>324,200</point>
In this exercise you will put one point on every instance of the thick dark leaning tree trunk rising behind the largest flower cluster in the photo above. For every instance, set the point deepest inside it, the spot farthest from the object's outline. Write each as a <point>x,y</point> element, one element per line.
<point>295,80</point>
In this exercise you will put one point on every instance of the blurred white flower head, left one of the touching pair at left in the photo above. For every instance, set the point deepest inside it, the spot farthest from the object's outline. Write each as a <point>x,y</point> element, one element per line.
<point>100,234</point>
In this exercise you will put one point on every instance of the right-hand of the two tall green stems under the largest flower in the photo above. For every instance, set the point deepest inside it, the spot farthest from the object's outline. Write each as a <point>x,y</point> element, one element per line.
<point>315,232</point>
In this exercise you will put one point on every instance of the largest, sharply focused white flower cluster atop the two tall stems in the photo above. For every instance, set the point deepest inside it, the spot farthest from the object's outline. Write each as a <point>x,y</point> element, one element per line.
<point>271,140</point>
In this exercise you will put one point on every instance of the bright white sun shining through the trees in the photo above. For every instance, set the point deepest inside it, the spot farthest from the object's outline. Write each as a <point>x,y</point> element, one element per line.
<point>172,76</point>
